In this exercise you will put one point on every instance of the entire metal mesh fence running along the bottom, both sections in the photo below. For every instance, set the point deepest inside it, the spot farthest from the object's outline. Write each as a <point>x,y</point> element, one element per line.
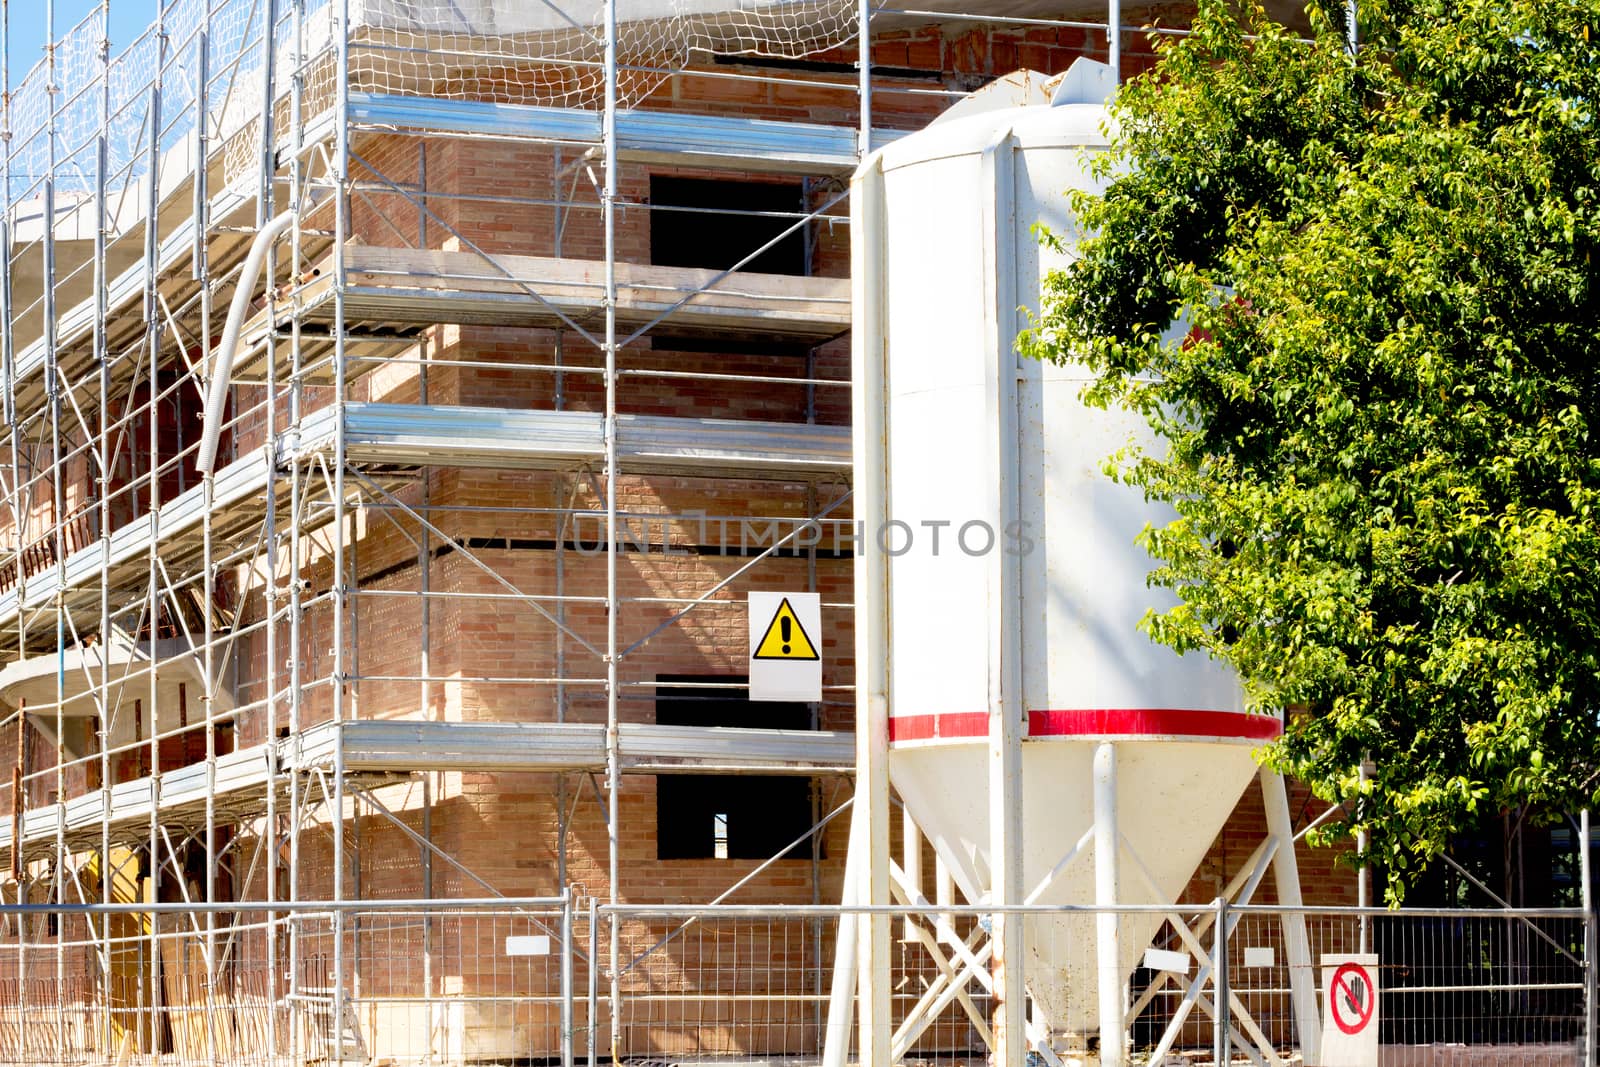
<point>441,981</point>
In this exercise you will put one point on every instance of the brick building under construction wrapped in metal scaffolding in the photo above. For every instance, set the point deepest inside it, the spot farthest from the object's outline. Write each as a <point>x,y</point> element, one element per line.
<point>401,399</point>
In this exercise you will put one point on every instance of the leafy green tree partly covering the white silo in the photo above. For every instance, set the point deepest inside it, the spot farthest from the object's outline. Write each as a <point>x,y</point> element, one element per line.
<point>1382,430</point>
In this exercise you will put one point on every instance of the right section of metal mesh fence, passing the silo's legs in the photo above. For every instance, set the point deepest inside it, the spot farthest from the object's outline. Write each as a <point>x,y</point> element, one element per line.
<point>1457,988</point>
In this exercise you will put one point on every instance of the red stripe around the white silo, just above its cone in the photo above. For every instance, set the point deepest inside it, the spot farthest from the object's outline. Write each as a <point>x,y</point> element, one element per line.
<point>1127,722</point>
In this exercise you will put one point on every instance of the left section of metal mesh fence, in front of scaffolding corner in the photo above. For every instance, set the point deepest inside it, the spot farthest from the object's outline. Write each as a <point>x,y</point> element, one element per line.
<point>250,988</point>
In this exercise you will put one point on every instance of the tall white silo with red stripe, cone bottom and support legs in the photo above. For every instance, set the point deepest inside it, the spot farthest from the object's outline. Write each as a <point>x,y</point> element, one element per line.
<point>1047,749</point>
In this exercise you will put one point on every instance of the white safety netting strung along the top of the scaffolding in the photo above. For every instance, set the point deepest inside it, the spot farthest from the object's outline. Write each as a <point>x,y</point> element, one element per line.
<point>206,58</point>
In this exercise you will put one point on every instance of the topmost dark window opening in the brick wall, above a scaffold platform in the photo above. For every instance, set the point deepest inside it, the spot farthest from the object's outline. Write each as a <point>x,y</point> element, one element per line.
<point>714,225</point>
